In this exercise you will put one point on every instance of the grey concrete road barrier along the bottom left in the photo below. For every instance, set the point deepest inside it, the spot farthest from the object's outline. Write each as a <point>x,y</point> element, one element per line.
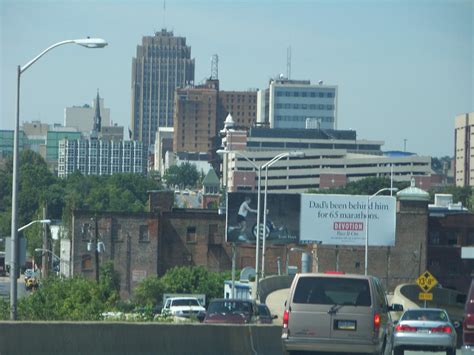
<point>73,338</point>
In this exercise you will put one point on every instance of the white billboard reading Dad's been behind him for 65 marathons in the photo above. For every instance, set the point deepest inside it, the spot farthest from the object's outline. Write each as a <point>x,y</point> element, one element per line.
<point>342,219</point>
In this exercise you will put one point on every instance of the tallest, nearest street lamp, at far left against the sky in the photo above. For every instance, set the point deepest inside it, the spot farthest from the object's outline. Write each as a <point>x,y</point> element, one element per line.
<point>85,42</point>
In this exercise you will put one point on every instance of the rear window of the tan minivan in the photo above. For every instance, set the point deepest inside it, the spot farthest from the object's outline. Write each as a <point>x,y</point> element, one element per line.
<point>332,290</point>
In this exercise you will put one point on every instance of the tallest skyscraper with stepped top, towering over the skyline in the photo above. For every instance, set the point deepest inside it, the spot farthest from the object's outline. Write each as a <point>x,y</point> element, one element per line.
<point>163,64</point>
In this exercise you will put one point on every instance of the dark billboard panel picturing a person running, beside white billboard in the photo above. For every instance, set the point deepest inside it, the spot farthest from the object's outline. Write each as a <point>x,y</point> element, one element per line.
<point>282,223</point>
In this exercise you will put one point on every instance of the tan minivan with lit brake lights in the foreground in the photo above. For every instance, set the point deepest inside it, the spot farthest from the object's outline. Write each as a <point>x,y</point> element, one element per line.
<point>336,312</point>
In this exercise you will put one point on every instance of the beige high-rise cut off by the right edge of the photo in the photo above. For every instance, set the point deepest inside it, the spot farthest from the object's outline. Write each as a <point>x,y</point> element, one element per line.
<point>464,149</point>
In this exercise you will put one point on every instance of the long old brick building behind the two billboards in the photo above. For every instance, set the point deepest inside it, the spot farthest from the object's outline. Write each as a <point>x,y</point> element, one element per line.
<point>144,244</point>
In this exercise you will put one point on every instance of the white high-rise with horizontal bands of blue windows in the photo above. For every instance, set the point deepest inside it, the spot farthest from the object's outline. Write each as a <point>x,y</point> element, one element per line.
<point>297,104</point>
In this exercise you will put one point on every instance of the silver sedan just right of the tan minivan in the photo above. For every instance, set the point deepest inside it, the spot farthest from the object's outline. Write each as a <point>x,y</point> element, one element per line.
<point>428,329</point>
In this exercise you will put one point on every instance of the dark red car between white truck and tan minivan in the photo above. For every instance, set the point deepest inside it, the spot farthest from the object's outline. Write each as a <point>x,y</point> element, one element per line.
<point>231,311</point>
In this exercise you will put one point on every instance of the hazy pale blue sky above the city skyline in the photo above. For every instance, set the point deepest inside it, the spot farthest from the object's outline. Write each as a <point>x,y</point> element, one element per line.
<point>404,69</point>
